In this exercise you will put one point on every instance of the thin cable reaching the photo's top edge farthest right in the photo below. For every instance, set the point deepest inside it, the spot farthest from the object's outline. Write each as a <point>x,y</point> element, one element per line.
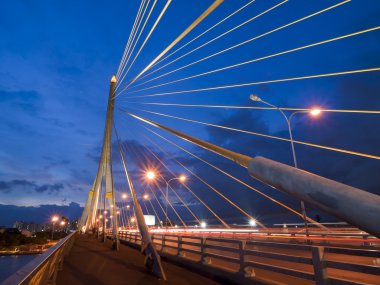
<point>249,40</point>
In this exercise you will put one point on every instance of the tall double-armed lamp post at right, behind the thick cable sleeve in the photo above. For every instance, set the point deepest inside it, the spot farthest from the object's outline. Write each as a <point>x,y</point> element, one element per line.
<point>314,112</point>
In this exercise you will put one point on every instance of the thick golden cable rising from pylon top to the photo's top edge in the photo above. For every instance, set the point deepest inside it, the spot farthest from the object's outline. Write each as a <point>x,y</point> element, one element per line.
<point>208,11</point>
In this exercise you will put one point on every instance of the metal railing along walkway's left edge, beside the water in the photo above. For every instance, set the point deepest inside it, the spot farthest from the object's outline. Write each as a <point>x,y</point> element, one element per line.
<point>44,268</point>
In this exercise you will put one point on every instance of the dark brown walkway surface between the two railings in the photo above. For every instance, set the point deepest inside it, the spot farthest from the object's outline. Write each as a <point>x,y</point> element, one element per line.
<point>93,262</point>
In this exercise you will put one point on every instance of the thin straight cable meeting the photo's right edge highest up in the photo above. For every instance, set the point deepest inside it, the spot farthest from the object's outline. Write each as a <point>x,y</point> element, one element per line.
<point>255,60</point>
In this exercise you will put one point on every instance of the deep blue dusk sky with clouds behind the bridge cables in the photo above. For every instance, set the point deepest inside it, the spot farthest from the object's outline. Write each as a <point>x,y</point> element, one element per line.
<point>57,58</point>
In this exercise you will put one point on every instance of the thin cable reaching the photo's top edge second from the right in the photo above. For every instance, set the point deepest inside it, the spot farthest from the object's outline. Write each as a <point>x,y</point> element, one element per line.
<point>216,38</point>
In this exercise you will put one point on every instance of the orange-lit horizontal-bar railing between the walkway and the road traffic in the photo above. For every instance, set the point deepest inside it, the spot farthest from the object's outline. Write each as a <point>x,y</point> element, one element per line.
<point>247,261</point>
